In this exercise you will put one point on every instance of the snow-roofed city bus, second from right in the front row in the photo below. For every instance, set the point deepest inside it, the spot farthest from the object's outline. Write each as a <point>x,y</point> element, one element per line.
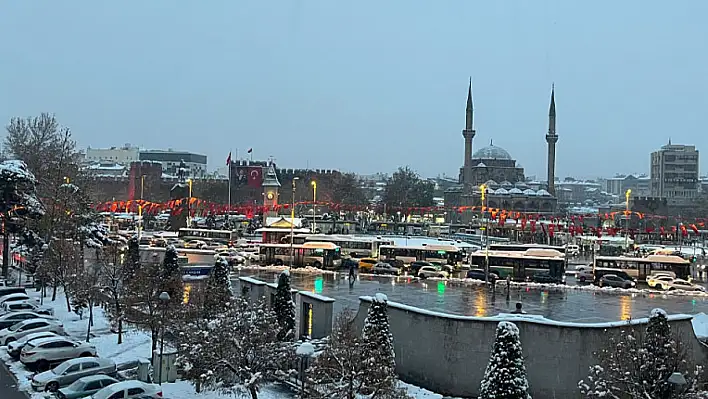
<point>521,266</point>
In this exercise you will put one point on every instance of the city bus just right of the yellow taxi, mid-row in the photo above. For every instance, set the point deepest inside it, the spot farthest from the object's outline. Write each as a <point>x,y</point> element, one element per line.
<point>444,254</point>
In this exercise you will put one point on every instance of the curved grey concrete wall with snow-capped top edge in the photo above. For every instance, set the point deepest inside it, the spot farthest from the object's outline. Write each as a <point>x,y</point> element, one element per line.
<point>448,354</point>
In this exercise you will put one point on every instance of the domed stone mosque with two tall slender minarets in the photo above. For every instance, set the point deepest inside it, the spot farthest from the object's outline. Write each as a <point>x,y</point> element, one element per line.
<point>504,179</point>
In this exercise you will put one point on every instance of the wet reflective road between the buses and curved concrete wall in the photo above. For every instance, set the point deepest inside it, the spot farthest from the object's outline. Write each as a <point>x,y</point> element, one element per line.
<point>561,304</point>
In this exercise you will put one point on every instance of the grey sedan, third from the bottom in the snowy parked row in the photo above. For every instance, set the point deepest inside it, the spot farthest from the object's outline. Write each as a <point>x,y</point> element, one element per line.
<point>70,371</point>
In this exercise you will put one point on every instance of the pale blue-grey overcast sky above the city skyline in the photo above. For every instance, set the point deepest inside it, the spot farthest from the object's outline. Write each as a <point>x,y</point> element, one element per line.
<point>364,86</point>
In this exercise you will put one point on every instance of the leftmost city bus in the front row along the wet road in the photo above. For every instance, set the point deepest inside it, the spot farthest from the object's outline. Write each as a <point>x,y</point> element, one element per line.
<point>317,254</point>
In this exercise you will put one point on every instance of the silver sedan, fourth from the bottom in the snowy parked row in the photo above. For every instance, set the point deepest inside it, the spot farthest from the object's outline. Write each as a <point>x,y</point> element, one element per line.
<point>40,354</point>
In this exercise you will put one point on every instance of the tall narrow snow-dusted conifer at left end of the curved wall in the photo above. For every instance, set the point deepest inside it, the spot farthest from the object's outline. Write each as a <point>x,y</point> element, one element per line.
<point>379,354</point>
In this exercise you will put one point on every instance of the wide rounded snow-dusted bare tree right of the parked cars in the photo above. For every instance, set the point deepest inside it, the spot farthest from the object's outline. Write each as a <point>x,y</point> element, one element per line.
<point>236,351</point>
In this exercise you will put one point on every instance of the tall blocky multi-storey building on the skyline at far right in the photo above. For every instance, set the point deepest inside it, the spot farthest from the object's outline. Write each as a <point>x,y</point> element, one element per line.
<point>674,173</point>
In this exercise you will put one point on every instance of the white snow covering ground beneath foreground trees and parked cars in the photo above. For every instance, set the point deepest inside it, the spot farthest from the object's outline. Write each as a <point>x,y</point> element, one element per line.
<point>136,344</point>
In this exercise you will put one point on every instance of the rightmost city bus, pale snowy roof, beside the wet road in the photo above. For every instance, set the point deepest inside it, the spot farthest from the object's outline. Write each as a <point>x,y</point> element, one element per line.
<point>641,268</point>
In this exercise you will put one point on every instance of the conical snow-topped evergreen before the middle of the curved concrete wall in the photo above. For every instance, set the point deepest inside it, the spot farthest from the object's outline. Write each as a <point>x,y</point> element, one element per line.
<point>505,376</point>
